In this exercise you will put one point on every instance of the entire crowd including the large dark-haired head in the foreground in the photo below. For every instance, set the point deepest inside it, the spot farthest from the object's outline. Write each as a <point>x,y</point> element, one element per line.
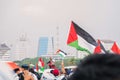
<point>92,67</point>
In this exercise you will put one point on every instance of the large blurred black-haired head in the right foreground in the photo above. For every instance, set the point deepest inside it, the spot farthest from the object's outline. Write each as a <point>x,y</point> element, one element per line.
<point>98,67</point>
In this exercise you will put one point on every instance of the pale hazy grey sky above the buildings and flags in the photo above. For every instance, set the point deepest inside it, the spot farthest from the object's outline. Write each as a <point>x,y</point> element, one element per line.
<point>36,18</point>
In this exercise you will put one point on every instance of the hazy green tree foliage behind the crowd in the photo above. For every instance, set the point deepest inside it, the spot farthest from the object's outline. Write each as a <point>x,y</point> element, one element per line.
<point>34,61</point>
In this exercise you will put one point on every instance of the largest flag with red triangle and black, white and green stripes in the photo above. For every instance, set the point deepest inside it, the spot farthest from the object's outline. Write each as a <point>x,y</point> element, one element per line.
<point>88,39</point>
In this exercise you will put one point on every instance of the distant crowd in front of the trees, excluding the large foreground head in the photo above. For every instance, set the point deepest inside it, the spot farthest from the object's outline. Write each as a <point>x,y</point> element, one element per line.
<point>25,72</point>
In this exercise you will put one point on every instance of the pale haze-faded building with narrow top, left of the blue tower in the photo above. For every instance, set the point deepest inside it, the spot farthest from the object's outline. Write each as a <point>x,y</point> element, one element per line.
<point>22,48</point>
